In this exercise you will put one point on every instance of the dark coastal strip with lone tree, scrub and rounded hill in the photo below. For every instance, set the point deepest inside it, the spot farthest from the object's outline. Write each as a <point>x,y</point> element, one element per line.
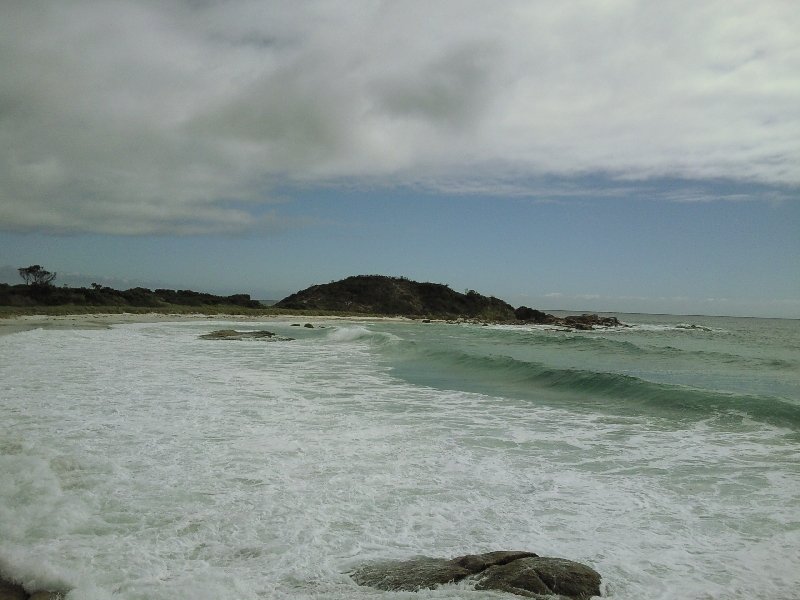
<point>357,296</point>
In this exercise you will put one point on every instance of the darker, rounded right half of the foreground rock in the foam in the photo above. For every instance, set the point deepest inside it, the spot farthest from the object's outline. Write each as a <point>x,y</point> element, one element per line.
<point>542,576</point>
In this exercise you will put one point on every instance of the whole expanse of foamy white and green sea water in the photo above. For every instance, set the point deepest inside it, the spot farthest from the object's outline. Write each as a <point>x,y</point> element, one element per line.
<point>143,462</point>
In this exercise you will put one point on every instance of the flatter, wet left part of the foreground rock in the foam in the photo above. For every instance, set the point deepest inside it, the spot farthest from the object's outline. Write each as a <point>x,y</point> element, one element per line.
<point>410,575</point>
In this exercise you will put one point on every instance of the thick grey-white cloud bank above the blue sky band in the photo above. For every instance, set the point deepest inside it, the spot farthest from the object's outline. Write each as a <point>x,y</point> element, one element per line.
<point>139,117</point>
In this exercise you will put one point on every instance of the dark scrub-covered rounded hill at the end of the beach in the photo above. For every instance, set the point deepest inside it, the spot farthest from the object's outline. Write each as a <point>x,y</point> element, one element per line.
<point>381,295</point>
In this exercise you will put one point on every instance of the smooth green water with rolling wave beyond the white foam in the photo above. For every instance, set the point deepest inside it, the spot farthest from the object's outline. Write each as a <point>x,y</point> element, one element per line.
<point>665,364</point>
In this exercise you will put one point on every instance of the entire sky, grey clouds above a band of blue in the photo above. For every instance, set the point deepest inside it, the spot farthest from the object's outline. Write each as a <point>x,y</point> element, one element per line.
<point>622,155</point>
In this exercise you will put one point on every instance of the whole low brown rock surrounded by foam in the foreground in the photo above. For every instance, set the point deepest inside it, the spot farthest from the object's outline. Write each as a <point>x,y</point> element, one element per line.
<point>521,573</point>
